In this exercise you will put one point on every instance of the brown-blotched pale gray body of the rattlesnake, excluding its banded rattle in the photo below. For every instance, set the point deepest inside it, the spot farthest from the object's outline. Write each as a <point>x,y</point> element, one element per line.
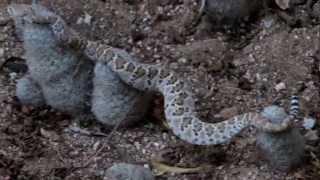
<point>179,103</point>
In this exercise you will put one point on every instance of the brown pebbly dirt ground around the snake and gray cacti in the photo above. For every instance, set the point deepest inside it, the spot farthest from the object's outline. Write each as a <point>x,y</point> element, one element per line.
<point>231,75</point>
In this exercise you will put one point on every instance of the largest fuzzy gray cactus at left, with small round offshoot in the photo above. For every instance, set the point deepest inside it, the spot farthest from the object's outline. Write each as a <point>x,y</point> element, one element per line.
<point>63,78</point>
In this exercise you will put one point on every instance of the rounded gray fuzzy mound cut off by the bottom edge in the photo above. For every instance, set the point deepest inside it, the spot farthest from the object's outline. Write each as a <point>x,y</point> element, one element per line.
<point>123,171</point>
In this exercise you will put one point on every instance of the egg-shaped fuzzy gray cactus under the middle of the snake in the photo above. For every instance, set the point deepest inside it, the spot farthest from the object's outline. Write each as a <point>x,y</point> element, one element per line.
<point>113,101</point>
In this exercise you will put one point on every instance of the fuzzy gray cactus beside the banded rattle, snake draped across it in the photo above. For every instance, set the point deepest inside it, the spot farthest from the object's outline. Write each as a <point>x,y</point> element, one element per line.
<point>284,150</point>
